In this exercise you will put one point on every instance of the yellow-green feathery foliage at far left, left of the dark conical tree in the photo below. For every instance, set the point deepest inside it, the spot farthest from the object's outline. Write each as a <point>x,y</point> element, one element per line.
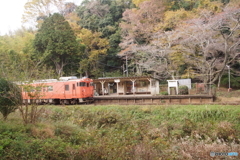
<point>17,58</point>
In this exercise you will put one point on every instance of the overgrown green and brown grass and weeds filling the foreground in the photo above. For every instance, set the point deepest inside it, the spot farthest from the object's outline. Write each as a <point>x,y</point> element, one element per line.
<point>123,132</point>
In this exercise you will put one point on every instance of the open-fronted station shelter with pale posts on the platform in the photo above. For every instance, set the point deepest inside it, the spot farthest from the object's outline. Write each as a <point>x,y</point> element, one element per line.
<point>126,85</point>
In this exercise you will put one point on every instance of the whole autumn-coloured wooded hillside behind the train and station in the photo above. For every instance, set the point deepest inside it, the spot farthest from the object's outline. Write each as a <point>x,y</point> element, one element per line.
<point>168,39</point>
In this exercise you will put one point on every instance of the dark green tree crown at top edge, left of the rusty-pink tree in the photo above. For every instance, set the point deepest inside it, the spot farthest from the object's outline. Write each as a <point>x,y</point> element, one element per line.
<point>102,16</point>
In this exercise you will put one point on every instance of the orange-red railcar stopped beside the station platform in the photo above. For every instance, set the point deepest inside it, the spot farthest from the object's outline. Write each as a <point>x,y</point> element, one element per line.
<point>65,90</point>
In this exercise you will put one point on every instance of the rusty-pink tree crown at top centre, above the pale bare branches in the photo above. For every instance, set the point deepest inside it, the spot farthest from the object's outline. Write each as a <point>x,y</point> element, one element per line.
<point>140,24</point>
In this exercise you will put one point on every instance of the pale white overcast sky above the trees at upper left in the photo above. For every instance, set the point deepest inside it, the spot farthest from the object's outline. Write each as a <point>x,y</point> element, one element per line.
<point>11,14</point>
